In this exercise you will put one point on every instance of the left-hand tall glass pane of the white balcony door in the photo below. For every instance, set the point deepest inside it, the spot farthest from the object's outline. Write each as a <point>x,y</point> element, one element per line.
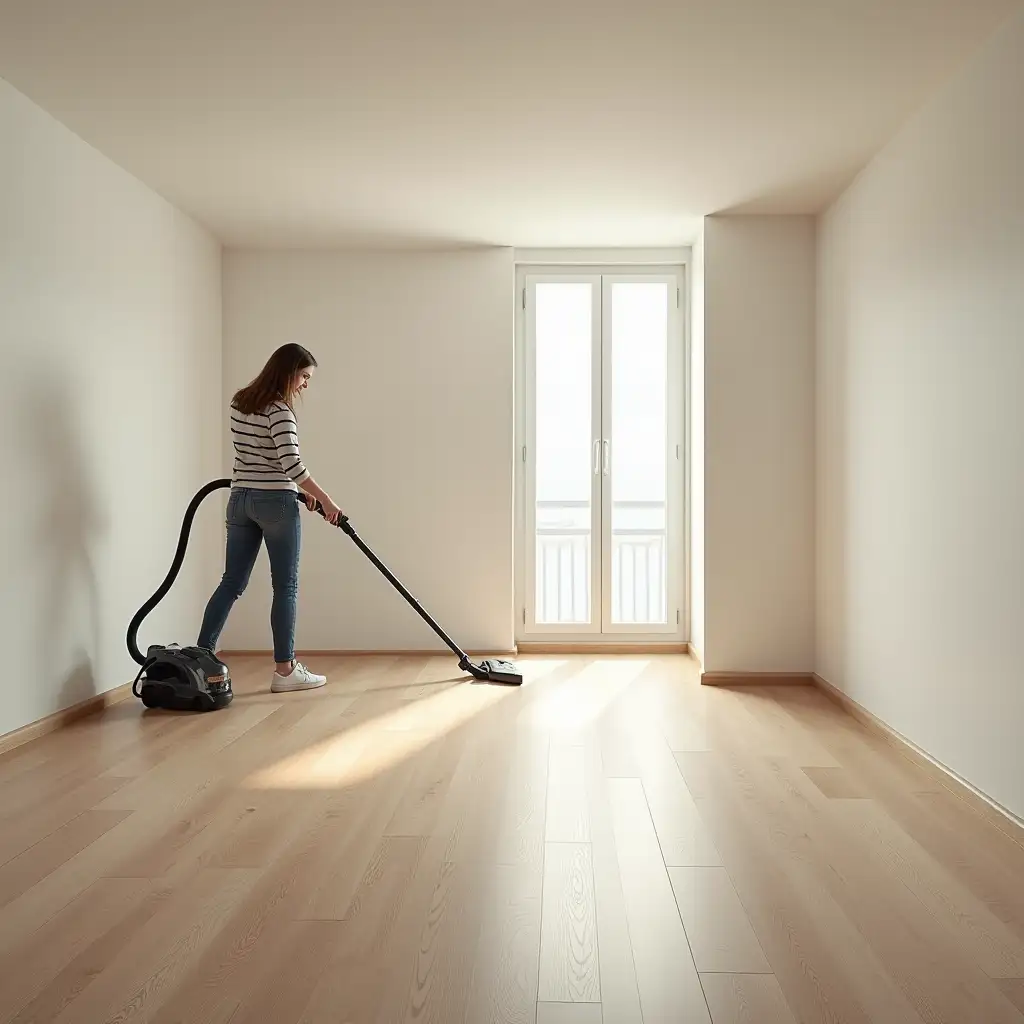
<point>565,452</point>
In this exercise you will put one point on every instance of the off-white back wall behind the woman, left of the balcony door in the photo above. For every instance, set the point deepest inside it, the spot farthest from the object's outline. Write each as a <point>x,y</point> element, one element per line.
<point>408,425</point>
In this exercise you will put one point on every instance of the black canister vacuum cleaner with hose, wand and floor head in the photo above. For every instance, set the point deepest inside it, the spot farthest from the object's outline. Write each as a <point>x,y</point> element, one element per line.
<point>177,678</point>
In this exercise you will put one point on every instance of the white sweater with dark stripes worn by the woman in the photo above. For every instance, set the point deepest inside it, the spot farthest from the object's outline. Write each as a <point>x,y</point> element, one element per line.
<point>267,450</point>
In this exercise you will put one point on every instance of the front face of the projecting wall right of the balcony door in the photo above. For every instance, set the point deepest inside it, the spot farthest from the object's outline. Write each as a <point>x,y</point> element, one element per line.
<point>759,422</point>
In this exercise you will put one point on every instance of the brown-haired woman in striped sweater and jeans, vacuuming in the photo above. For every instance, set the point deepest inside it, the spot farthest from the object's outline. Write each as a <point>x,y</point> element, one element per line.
<point>263,506</point>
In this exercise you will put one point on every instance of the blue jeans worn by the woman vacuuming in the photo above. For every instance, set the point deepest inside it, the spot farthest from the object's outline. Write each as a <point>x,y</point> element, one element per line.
<point>254,517</point>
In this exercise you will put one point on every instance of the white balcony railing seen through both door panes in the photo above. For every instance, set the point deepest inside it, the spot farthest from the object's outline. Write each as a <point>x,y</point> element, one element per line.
<point>639,594</point>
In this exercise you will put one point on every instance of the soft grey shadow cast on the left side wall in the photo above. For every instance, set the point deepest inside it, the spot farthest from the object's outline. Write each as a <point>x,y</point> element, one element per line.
<point>68,521</point>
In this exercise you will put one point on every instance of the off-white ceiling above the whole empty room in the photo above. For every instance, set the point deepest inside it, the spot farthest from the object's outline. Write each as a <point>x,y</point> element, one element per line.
<point>533,123</point>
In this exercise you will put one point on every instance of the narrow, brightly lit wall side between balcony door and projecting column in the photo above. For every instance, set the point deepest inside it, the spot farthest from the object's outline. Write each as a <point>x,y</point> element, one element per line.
<point>697,446</point>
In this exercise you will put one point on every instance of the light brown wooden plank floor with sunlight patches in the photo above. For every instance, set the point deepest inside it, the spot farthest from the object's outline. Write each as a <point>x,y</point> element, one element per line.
<point>612,842</point>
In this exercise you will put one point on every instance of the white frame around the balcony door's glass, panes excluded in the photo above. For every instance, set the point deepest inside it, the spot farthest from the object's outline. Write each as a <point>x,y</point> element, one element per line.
<point>677,629</point>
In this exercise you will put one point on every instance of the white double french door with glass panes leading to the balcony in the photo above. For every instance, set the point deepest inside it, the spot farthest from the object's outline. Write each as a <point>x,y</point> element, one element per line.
<point>602,428</point>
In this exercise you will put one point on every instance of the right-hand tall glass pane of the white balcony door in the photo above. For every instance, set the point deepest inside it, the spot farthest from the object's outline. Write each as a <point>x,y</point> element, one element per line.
<point>639,463</point>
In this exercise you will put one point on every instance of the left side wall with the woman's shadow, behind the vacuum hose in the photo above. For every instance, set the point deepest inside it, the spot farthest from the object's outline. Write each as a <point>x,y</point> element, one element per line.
<point>110,334</point>
